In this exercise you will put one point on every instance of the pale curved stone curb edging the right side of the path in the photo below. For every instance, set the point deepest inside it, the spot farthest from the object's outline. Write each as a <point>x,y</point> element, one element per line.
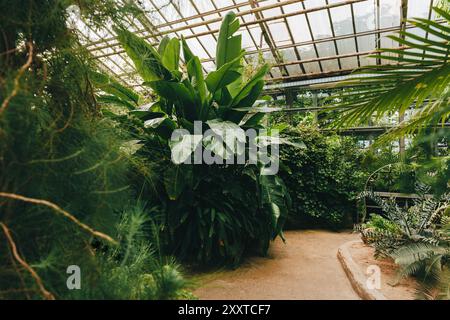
<point>355,274</point>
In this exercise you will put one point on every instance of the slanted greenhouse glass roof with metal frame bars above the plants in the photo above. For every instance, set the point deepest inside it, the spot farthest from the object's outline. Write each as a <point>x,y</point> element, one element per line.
<point>302,39</point>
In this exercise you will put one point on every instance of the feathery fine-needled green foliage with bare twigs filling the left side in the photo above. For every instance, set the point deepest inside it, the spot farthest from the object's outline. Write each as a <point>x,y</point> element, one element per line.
<point>63,176</point>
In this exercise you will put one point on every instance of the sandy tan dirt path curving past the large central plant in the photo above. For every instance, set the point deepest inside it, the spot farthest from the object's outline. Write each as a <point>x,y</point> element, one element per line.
<point>305,267</point>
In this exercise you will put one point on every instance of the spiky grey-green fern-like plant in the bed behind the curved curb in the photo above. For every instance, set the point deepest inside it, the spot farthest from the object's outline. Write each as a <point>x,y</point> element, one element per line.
<point>417,238</point>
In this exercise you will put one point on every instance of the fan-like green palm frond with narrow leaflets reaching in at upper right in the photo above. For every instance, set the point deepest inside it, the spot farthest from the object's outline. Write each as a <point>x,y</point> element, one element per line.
<point>418,74</point>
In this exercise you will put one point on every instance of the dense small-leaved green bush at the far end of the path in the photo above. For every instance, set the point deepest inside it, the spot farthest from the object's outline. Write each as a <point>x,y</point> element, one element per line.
<point>323,178</point>
